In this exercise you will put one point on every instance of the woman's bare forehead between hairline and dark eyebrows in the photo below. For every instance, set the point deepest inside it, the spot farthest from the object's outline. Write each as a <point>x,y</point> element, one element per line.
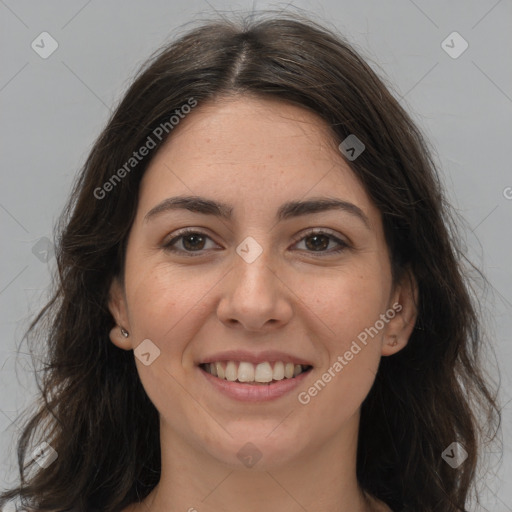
<point>251,152</point>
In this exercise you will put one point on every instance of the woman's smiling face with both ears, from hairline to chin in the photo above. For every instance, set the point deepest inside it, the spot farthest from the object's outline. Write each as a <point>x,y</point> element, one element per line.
<point>260,283</point>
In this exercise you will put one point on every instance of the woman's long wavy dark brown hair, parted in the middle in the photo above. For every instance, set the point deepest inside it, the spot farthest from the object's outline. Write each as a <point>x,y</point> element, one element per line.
<point>93,408</point>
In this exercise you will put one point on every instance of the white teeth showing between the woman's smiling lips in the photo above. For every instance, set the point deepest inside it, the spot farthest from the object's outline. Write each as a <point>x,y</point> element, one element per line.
<point>264,373</point>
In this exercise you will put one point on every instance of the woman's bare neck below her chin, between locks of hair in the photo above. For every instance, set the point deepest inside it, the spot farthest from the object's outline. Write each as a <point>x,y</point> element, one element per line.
<point>319,479</point>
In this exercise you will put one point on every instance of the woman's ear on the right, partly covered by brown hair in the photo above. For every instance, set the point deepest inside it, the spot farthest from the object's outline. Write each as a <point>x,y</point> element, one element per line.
<point>404,300</point>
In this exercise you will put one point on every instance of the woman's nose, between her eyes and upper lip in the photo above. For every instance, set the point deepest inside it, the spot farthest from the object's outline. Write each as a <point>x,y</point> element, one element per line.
<point>254,297</point>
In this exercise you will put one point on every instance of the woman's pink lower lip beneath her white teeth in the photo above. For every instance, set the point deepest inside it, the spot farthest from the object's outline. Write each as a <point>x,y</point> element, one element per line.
<point>255,392</point>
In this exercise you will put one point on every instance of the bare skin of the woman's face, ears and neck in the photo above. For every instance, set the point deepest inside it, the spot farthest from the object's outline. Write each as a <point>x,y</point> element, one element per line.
<point>256,154</point>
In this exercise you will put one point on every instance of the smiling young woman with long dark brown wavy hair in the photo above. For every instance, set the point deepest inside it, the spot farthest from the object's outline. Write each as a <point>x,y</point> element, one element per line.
<point>261,303</point>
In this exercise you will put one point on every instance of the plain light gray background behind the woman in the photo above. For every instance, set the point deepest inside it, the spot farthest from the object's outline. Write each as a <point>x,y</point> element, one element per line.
<point>52,109</point>
